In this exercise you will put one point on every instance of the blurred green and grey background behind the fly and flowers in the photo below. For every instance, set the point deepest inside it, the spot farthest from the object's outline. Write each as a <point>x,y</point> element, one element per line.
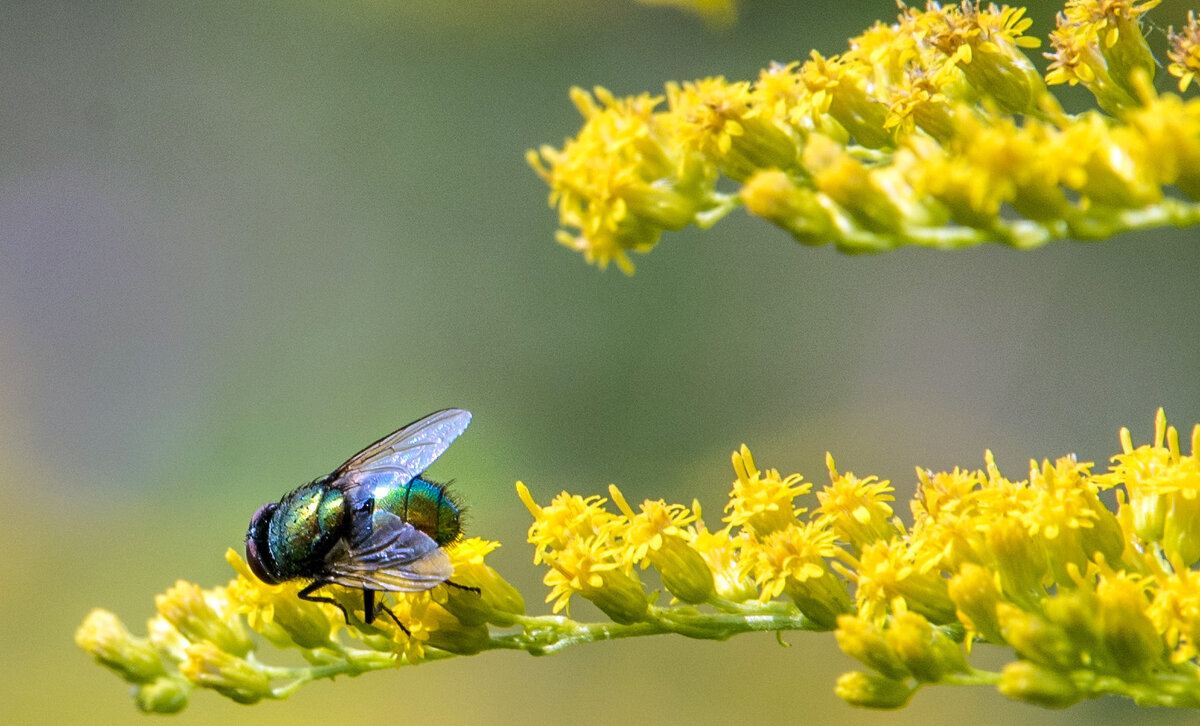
<point>239,241</point>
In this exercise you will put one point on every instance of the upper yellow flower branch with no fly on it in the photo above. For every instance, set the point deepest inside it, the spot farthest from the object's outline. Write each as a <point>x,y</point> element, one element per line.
<point>931,131</point>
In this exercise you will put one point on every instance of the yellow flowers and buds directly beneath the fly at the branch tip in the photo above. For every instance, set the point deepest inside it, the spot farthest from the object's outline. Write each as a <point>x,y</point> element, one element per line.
<point>202,638</point>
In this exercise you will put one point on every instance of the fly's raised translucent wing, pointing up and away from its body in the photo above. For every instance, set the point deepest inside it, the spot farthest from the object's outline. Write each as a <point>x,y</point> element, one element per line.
<point>410,451</point>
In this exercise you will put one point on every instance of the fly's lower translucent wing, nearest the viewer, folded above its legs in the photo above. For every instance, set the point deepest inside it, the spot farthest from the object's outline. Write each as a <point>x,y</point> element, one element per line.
<point>391,555</point>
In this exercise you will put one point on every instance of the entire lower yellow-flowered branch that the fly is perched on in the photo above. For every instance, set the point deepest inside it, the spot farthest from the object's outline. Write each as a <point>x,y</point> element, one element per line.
<point>1090,602</point>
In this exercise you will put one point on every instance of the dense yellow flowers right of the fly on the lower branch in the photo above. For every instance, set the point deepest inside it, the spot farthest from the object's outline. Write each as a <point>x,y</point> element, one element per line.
<point>1093,602</point>
